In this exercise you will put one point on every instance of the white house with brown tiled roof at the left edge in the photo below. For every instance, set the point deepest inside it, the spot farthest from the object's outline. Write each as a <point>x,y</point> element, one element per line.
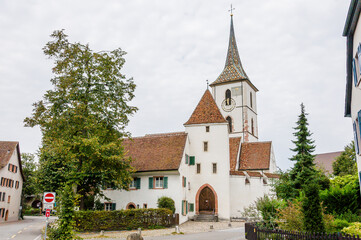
<point>11,181</point>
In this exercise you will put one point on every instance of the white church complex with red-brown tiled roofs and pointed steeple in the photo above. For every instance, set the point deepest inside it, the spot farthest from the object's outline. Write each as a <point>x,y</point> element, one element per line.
<point>217,166</point>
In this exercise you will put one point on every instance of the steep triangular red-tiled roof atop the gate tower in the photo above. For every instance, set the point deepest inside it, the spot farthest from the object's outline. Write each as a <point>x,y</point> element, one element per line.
<point>206,111</point>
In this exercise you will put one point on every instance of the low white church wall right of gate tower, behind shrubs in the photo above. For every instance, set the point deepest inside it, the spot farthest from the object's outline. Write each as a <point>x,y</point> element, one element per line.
<point>244,194</point>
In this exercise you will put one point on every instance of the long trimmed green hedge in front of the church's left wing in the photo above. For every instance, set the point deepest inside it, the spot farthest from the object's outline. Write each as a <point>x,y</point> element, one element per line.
<point>123,219</point>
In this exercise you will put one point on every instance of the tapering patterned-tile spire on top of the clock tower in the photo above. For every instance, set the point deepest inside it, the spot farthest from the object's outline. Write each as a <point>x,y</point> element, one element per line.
<point>233,69</point>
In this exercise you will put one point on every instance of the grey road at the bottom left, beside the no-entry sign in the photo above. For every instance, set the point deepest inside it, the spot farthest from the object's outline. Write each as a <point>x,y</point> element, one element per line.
<point>27,229</point>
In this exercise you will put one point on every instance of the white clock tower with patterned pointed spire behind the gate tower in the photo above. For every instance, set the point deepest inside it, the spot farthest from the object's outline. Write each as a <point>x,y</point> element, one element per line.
<point>235,95</point>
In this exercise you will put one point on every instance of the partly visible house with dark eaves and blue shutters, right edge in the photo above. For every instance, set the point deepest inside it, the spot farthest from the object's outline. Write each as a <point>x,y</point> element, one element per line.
<point>352,31</point>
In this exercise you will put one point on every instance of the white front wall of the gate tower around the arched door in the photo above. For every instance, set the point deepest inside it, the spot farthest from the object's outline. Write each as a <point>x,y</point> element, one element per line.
<point>218,152</point>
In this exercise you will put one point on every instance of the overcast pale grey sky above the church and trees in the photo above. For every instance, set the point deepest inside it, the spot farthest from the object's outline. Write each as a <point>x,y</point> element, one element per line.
<point>292,51</point>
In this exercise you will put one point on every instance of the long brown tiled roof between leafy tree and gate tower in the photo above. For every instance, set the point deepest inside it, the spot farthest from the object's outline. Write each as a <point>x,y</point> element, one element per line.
<point>156,152</point>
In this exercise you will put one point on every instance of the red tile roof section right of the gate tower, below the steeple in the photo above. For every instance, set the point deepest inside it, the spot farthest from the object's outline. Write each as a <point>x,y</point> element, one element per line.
<point>255,156</point>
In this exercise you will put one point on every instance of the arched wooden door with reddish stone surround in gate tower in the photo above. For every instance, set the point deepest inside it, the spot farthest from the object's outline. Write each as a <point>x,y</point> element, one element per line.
<point>206,200</point>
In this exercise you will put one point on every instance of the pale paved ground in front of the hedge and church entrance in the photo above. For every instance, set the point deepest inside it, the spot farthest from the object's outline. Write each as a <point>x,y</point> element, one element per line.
<point>186,228</point>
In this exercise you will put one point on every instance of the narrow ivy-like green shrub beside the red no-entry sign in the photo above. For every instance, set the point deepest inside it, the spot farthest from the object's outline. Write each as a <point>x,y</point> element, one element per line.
<point>63,230</point>
